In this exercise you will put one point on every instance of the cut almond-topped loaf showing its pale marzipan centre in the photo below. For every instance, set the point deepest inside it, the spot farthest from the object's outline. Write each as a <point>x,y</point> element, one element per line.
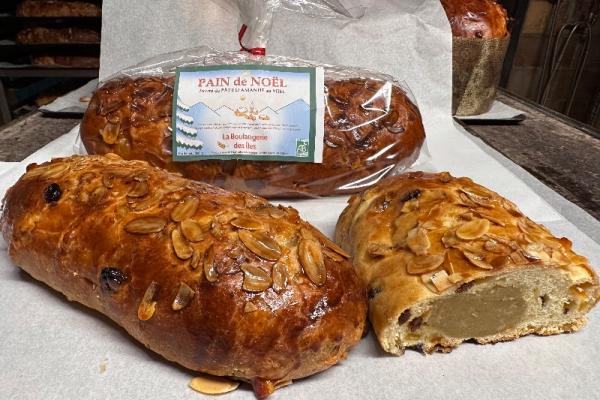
<point>447,260</point>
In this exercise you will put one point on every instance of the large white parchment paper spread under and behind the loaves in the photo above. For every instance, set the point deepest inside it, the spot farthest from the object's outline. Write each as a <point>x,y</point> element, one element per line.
<point>53,349</point>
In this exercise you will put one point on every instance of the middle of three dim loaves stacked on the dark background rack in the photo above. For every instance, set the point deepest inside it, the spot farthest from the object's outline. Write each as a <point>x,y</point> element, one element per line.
<point>41,35</point>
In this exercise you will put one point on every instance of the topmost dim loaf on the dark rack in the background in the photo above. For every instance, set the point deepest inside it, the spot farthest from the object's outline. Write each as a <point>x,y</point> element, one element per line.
<point>57,8</point>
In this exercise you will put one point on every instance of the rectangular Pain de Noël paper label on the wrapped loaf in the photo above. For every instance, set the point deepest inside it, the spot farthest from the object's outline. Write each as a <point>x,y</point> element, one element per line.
<point>248,112</point>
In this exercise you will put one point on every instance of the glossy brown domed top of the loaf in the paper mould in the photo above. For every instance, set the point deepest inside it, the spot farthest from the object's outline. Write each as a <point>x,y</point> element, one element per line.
<point>476,18</point>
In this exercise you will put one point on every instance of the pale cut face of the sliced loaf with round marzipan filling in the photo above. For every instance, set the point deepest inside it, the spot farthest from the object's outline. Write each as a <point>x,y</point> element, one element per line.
<point>537,300</point>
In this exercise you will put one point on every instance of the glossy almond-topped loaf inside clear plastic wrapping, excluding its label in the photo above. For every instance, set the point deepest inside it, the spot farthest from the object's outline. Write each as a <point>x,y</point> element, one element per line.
<point>132,118</point>
